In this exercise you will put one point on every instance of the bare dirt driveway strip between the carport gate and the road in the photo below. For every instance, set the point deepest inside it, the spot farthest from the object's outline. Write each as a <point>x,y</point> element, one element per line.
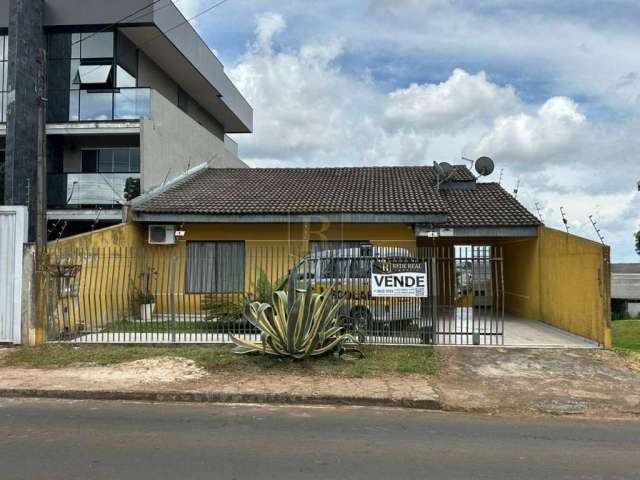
<point>552,381</point>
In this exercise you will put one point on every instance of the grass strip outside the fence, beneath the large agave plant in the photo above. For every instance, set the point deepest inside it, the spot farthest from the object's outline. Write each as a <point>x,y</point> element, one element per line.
<point>377,360</point>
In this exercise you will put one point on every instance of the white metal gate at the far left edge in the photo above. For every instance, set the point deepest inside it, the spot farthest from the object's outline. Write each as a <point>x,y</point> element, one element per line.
<point>13,233</point>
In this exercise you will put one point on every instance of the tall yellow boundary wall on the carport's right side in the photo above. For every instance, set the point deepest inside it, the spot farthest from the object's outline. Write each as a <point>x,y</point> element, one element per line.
<point>562,280</point>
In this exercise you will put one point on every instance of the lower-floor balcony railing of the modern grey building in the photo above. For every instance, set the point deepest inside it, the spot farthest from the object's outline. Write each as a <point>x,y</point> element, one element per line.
<point>87,189</point>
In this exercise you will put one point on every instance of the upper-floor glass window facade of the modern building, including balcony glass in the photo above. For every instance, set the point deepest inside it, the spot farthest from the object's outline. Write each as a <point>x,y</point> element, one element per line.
<point>93,77</point>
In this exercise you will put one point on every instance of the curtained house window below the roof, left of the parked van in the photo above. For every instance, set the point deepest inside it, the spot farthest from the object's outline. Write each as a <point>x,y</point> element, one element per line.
<point>215,267</point>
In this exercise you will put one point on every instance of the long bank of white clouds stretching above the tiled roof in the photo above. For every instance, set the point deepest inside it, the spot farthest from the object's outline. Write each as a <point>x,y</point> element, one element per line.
<point>309,111</point>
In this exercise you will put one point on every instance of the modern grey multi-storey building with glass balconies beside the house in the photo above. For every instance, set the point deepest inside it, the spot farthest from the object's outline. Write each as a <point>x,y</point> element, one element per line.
<point>132,92</point>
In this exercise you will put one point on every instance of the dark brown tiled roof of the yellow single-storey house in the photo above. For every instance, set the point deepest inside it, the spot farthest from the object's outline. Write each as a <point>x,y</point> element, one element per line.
<point>403,190</point>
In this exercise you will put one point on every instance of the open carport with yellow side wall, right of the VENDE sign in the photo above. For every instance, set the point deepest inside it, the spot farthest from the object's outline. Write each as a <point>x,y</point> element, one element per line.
<point>538,287</point>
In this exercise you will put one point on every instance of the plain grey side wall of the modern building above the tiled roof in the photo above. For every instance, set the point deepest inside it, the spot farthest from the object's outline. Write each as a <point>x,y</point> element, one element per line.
<point>171,142</point>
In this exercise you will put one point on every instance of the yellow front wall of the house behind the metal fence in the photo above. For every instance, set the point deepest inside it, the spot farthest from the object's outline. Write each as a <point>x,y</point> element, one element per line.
<point>115,260</point>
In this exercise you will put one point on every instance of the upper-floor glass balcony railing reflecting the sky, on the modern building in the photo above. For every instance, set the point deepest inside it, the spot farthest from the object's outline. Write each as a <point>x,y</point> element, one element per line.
<point>98,105</point>
